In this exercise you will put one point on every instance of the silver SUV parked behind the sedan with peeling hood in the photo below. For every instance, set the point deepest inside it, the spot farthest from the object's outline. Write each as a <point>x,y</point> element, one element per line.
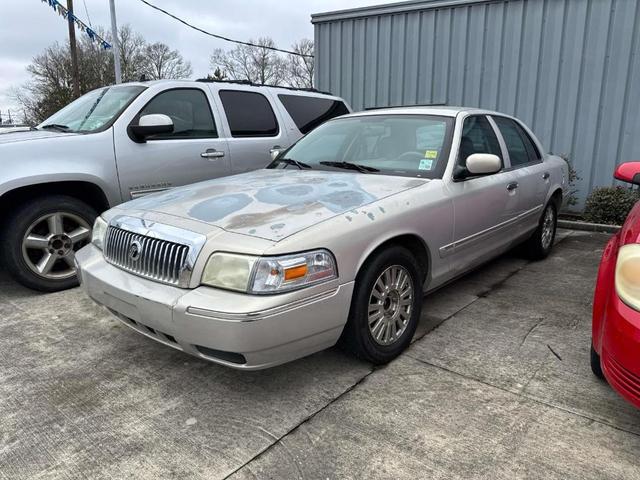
<point>121,142</point>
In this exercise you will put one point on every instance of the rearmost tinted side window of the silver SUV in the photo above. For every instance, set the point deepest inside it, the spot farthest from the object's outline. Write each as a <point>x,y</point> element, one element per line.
<point>309,112</point>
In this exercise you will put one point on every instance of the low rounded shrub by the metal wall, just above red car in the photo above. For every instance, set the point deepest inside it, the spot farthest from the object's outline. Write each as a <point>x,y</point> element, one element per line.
<point>610,205</point>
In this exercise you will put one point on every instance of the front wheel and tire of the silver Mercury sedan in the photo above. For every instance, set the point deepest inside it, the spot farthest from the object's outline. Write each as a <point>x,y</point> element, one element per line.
<point>389,286</point>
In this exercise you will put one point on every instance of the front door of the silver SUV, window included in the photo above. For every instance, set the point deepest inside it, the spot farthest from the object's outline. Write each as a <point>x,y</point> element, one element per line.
<point>191,153</point>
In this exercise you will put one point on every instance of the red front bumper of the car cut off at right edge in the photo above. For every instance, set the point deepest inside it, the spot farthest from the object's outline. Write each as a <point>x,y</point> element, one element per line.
<point>620,349</point>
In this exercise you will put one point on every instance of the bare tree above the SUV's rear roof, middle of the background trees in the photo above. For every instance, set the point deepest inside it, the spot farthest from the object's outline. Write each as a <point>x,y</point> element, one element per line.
<point>255,64</point>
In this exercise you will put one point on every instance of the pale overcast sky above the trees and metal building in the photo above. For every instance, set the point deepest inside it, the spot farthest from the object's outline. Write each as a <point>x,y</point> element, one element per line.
<point>28,26</point>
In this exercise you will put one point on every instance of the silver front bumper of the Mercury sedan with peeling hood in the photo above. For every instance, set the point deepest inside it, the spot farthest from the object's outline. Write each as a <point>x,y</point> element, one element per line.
<point>238,330</point>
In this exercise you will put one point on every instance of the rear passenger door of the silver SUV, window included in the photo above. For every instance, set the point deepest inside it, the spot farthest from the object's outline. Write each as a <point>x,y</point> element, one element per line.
<point>253,127</point>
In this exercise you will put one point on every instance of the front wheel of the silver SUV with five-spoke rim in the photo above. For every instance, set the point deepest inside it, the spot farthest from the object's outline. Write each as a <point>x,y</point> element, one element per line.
<point>65,223</point>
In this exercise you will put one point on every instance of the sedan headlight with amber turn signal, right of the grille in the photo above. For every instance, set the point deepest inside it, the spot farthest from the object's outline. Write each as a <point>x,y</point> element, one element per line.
<point>260,275</point>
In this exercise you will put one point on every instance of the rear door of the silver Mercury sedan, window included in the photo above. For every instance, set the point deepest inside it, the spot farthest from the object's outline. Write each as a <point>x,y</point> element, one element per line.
<point>529,169</point>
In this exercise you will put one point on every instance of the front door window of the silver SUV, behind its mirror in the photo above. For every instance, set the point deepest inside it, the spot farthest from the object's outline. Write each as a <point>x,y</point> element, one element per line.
<point>188,108</point>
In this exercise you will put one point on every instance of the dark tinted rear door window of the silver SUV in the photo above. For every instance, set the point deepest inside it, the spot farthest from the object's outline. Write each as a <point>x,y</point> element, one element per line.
<point>249,114</point>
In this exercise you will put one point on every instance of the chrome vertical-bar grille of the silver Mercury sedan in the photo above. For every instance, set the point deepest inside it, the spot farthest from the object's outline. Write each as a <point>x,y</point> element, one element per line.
<point>156,259</point>
